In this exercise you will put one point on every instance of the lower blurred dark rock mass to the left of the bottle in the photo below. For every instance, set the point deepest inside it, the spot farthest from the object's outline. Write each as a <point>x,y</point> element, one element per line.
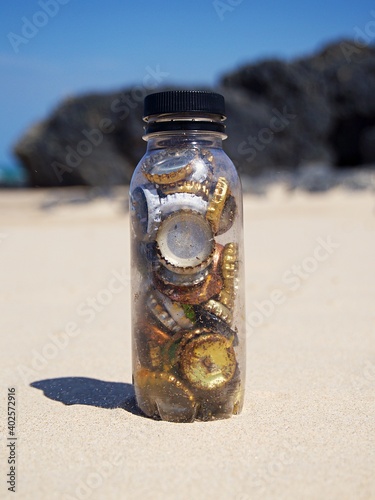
<point>89,140</point>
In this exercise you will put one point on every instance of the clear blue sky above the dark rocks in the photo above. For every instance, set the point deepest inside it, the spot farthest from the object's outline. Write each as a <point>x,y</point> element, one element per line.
<point>71,47</point>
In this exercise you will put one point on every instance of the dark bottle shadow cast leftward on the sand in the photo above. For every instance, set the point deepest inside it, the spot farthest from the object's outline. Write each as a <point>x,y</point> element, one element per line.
<point>91,392</point>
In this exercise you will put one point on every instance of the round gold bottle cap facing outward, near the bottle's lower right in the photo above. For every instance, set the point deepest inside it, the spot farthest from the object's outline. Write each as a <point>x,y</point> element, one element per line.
<point>208,361</point>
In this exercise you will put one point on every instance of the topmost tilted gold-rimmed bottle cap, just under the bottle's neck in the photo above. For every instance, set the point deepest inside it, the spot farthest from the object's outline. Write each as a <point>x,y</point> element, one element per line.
<point>169,169</point>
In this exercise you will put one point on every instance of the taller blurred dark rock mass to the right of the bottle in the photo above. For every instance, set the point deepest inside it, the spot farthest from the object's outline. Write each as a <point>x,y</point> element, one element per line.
<point>331,102</point>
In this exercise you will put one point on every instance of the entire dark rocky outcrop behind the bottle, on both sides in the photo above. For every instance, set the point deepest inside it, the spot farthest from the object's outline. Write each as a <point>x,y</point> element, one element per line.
<point>282,115</point>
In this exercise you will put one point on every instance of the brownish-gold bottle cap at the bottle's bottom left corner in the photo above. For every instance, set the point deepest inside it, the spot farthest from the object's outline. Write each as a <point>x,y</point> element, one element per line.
<point>162,394</point>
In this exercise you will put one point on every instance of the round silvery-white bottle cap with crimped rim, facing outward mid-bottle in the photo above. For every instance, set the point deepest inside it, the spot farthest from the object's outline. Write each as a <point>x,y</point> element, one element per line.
<point>185,242</point>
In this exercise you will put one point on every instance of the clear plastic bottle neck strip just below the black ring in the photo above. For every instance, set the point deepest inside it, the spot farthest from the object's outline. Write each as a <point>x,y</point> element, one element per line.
<point>173,139</point>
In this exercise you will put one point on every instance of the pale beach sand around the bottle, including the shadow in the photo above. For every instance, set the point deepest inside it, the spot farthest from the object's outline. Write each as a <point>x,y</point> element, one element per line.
<point>307,430</point>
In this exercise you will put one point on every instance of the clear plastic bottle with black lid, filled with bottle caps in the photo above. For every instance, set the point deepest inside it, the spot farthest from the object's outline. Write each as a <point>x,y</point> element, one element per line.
<point>188,315</point>
